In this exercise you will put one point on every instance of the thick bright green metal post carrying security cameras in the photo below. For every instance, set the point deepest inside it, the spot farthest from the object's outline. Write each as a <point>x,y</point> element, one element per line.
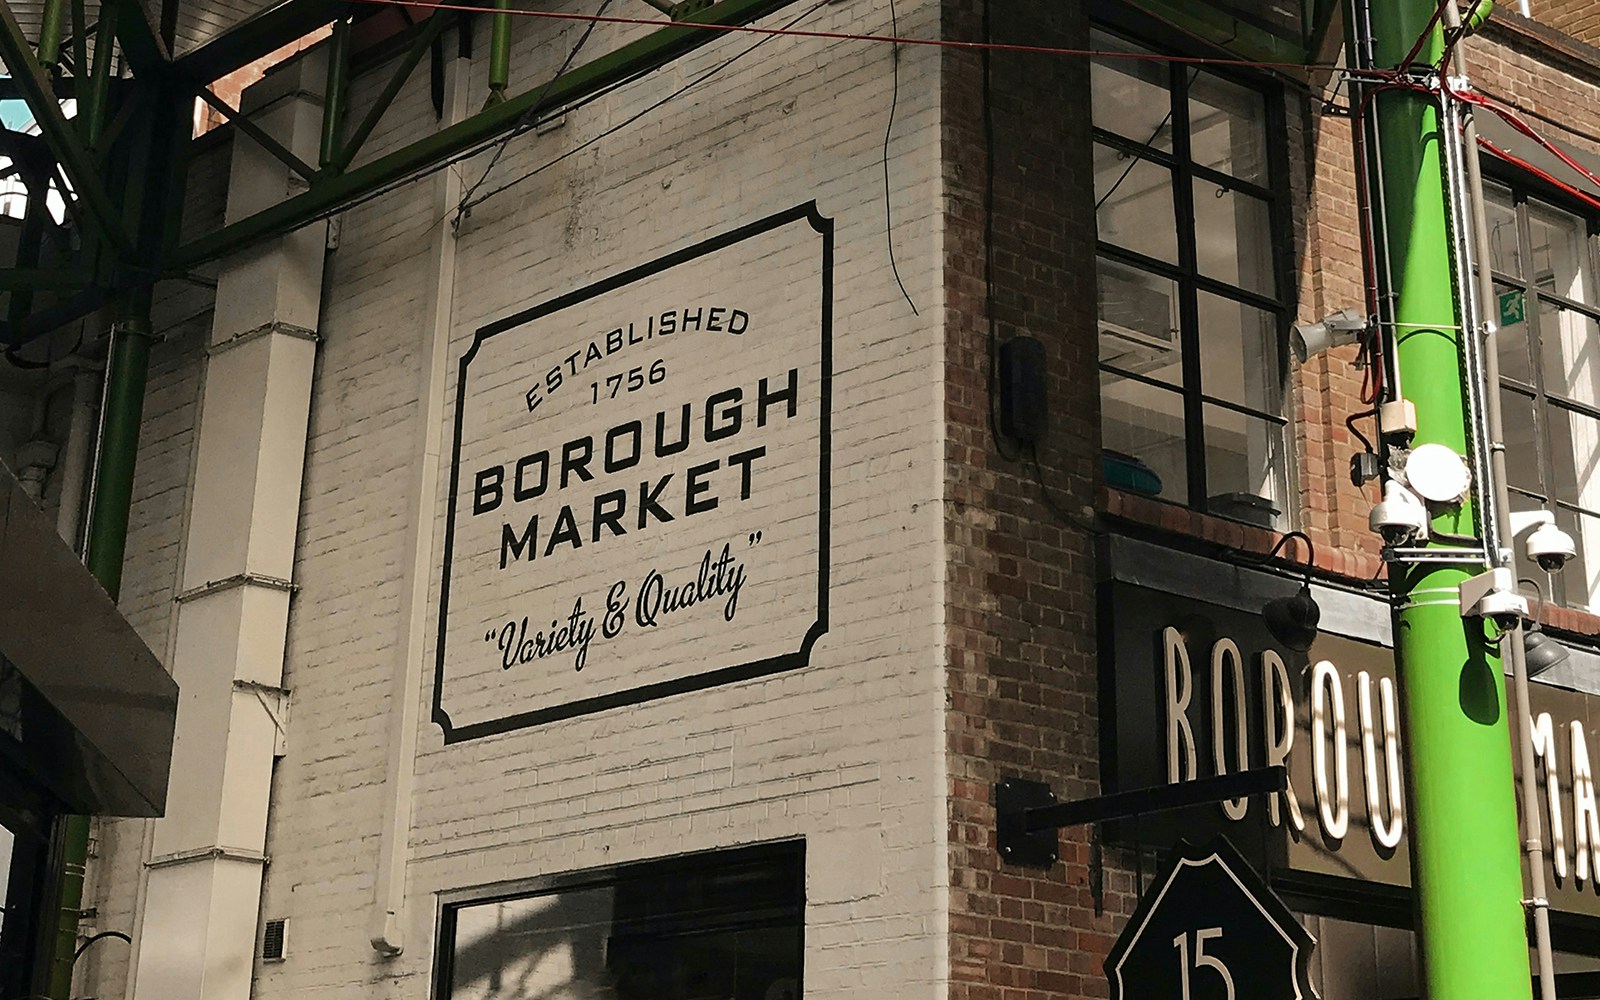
<point>1466,865</point>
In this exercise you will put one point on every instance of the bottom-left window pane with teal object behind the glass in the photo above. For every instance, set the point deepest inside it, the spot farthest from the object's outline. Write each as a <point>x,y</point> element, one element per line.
<point>1143,434</point>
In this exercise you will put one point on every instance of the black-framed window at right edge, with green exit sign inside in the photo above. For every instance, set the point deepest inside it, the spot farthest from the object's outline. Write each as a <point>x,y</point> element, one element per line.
<point>1545,265</point>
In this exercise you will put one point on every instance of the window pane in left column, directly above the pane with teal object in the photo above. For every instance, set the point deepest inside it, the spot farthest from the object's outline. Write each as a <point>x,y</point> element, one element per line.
<point>1138,330</point>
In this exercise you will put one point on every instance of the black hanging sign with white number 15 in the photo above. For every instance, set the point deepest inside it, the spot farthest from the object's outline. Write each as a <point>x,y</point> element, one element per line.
<point>1210,929</point>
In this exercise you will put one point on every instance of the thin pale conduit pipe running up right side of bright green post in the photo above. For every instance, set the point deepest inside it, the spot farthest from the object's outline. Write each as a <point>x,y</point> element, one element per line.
<point>1534,825</point>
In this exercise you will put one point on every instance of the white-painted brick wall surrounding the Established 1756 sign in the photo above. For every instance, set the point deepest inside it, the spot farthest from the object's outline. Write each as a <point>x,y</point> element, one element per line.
<point>847,753</point>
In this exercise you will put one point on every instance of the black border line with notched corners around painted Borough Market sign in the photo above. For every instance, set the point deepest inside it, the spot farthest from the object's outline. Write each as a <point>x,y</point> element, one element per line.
<point>698,682</point>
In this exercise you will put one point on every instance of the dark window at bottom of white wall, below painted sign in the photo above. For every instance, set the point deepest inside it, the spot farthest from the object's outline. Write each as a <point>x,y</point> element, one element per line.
<point>724,926</point>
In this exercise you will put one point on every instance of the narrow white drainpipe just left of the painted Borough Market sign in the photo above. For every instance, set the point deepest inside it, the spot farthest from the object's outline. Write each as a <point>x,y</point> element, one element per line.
<point>388,919</point>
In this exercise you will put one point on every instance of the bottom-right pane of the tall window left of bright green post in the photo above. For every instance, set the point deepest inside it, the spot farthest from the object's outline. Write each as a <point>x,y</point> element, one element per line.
<point>1244,466</point>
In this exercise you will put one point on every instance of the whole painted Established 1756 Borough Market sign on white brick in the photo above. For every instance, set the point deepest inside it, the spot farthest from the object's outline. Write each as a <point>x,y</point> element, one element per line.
<point>639,500</point>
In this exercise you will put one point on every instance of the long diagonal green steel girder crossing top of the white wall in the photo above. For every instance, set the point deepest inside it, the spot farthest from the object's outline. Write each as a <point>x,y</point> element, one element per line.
<point>330,193</point>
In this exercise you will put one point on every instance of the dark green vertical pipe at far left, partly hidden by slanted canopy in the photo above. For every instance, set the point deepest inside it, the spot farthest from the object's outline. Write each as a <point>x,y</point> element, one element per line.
<point>108,538</point>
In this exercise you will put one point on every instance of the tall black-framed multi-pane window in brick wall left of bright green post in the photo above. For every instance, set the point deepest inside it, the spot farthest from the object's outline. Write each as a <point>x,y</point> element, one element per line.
<point>1190,209</point>
